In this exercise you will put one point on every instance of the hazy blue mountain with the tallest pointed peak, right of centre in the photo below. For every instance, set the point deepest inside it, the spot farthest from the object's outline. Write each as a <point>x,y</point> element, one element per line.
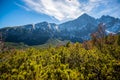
<point>79,28</point>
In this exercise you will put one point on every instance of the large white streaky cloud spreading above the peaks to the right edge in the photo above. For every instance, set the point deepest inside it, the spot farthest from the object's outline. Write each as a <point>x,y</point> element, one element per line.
<point>71,9</point>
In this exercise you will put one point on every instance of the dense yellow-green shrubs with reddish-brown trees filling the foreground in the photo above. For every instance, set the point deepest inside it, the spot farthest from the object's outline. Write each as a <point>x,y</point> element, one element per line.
<point>96,59</point>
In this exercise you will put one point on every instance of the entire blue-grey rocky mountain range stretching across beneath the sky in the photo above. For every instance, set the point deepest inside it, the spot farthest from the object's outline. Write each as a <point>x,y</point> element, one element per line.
<point>76,30</point>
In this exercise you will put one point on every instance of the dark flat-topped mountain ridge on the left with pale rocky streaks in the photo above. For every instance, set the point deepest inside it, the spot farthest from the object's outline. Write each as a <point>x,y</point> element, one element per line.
<point>29,34</point>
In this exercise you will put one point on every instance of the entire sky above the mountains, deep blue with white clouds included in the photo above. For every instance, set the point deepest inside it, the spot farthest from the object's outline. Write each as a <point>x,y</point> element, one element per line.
<point>21,12</point>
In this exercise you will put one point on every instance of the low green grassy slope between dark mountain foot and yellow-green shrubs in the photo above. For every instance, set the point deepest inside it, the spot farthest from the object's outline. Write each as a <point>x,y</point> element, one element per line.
<point>49,43</point>
